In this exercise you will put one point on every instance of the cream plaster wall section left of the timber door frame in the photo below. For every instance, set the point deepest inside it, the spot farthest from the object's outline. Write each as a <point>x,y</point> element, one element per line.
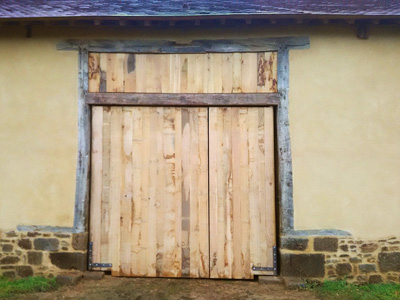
<point>38,140</point>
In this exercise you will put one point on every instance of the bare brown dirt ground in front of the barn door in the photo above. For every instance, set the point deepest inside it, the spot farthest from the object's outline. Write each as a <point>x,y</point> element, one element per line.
<point>170,289</point>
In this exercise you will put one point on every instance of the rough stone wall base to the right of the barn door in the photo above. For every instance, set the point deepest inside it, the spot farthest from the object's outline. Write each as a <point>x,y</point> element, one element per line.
<point>332,258</point>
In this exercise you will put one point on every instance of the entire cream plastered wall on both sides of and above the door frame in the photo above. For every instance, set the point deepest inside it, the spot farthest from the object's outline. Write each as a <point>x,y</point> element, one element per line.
<point>344,125</point>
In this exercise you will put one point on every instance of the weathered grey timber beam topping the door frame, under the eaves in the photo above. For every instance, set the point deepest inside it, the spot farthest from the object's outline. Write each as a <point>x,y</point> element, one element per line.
<point>195,46</point>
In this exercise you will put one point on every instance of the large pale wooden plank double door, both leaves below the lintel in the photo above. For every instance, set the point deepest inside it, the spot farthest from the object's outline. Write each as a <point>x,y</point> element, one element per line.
<point>183,191</point>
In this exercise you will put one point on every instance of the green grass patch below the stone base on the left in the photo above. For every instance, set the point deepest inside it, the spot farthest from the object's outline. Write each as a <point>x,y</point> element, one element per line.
<point>25,285</point>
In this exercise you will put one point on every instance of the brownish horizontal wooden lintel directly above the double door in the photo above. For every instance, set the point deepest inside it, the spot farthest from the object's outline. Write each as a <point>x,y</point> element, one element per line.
<point>147,99</point>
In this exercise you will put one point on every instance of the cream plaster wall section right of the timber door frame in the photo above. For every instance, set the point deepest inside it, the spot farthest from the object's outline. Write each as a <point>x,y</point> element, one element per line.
<point>345,129</point>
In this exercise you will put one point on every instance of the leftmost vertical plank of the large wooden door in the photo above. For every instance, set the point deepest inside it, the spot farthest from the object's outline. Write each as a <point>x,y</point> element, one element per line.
<point>96,181</point>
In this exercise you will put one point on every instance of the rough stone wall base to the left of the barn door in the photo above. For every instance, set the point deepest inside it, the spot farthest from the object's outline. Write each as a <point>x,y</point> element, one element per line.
<point>47,254</point>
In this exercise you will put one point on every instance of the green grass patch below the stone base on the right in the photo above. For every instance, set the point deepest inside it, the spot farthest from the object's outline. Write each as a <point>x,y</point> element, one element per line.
<point>335,290</point>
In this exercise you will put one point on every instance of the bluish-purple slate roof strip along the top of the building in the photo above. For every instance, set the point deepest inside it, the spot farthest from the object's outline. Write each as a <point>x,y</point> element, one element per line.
<point>182,8</point>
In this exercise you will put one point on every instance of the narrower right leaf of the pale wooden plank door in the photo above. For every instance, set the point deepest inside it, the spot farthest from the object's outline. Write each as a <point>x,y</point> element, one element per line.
<point>242,230</point>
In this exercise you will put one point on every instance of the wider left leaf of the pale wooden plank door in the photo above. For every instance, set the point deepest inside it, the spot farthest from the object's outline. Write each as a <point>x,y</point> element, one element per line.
<point>149,196</point>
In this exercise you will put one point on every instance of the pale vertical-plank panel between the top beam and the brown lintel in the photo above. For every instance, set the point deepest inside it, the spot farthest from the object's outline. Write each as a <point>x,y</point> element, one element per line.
<point>184,73</point>
